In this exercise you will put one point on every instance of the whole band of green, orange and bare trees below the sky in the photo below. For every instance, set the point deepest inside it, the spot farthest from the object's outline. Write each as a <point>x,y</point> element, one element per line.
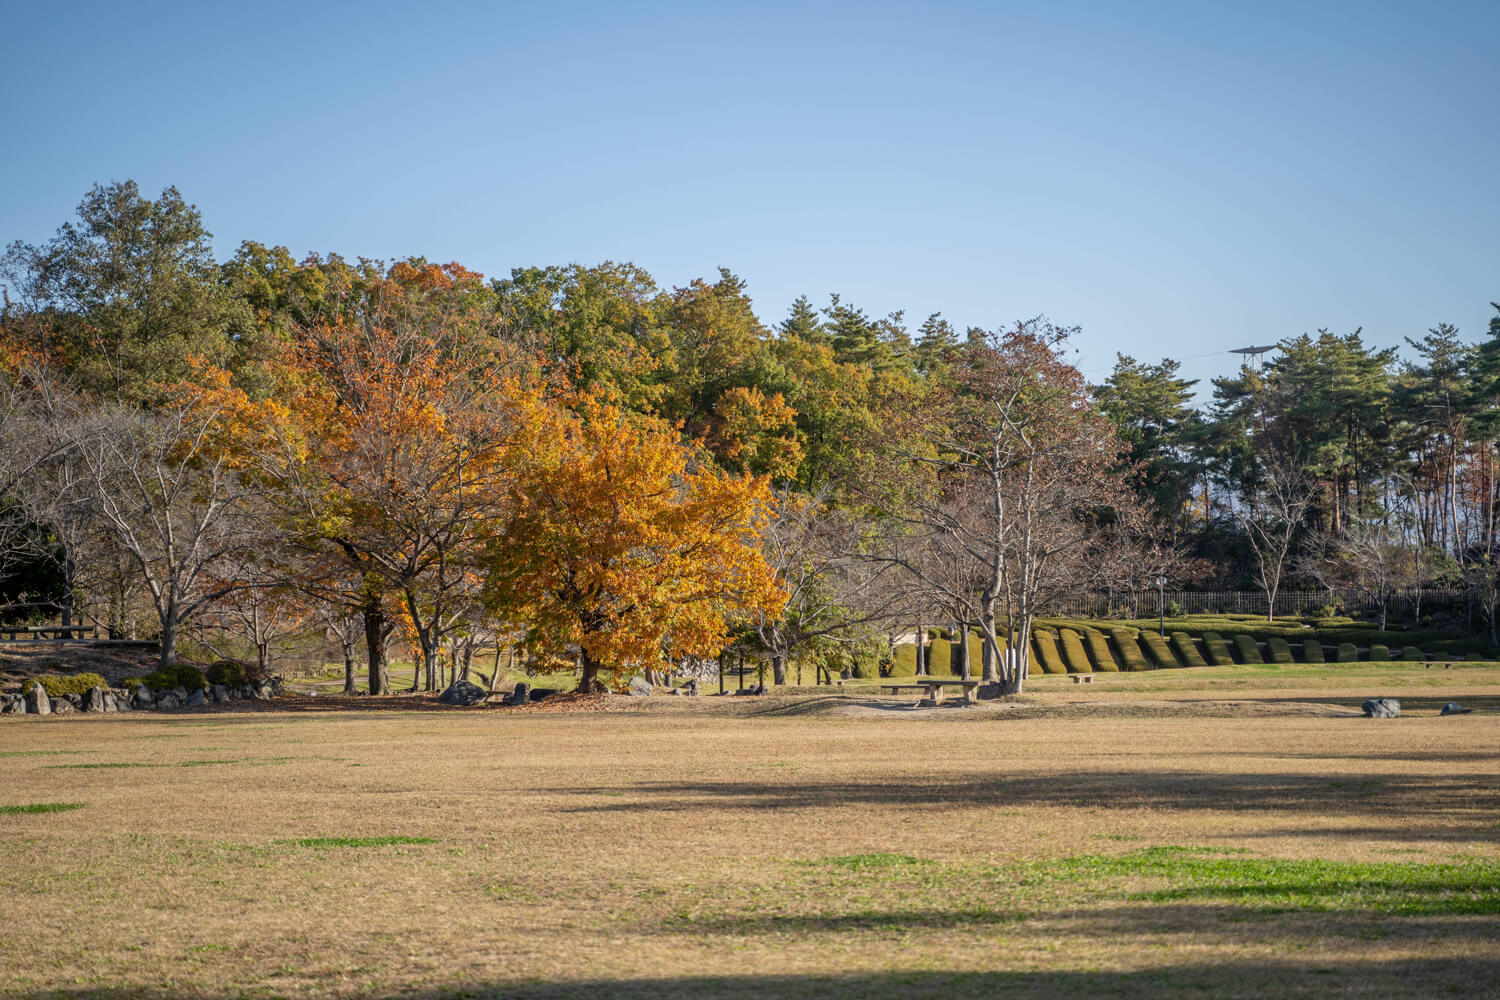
<point>578,467</point>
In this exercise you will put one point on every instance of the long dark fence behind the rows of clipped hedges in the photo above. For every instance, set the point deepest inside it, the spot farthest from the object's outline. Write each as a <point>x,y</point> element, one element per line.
<point>1405,603</point>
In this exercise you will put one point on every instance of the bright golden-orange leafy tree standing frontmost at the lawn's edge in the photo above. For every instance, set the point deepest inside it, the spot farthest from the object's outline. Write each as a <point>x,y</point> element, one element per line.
<point>622,545</point>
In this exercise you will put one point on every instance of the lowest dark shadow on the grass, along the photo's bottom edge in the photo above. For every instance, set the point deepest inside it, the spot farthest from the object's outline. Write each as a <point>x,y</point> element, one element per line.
<point>1427,978</point>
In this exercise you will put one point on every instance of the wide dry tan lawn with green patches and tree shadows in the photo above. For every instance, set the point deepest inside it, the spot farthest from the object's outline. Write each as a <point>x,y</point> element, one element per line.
<point>1231,836</point>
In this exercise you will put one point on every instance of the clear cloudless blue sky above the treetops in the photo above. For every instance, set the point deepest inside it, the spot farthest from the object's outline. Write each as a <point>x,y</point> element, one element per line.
<point>1178,179</point>
